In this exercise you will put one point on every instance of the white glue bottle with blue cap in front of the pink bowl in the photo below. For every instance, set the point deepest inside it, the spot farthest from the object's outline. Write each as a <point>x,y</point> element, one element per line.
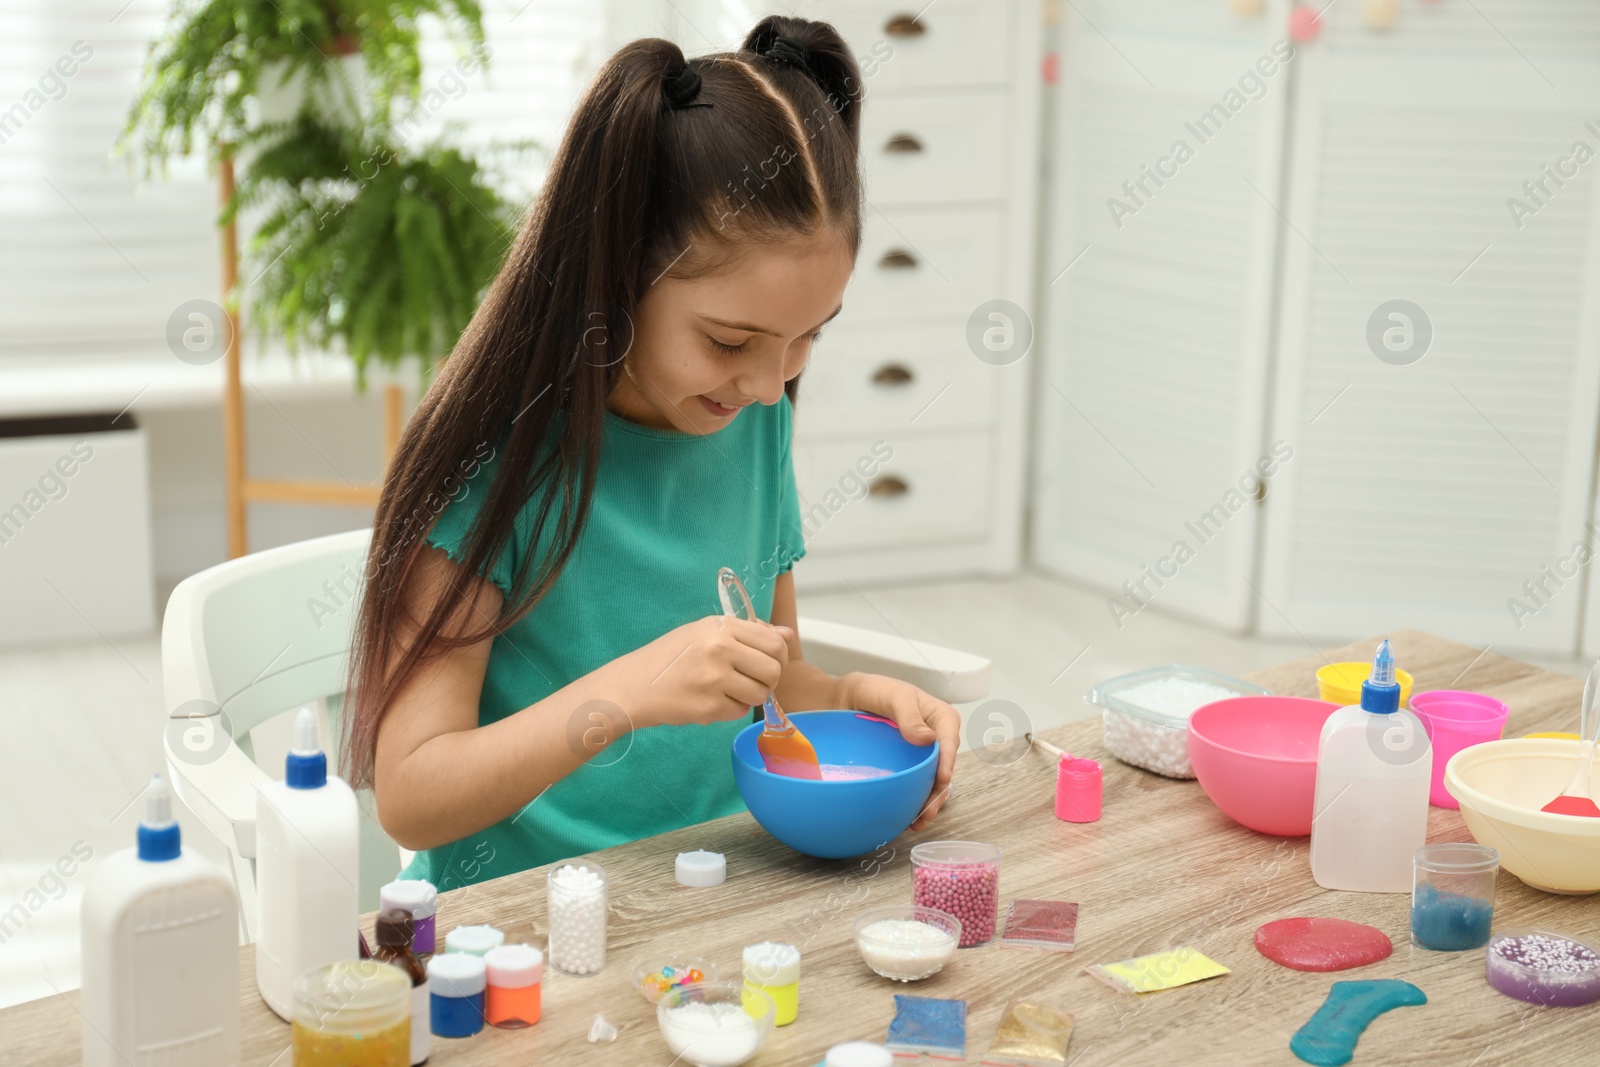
<point>1374,770</point>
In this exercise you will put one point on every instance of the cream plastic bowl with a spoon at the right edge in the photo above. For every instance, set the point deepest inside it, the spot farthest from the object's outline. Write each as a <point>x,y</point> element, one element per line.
<point>1502,786</point>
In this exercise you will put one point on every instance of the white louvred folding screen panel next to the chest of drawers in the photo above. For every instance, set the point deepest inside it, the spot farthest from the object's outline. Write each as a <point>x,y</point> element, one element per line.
<point>1158,295</point>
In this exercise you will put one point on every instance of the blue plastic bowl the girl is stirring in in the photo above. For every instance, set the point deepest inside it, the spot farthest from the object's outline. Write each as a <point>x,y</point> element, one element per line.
<point>838,820</point>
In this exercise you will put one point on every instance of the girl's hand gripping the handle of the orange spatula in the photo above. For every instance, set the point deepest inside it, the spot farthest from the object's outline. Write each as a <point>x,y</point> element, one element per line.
<point>708,671</point>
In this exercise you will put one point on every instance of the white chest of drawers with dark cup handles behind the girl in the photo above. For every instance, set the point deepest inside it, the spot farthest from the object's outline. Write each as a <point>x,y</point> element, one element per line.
<point>951,154</point>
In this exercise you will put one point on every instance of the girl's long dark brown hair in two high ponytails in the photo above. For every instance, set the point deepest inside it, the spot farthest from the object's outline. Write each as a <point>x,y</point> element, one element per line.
<point>639,188</point>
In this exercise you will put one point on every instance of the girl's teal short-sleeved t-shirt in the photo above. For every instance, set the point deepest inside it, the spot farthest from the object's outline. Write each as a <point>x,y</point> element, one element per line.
<point>670,510</point>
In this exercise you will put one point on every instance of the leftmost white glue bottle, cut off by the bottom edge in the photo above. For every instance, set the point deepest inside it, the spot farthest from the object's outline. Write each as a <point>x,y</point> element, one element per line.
<point>161,953</point>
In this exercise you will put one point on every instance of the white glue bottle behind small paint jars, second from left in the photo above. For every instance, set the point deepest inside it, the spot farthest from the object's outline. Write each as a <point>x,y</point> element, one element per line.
<point>308,871</point>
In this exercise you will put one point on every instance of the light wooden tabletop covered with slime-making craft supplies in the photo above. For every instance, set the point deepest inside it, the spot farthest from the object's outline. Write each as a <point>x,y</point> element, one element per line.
<point>1161,869</point>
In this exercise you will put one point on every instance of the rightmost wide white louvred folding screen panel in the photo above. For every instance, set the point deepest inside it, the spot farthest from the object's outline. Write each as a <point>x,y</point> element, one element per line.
<point>1436,492</point>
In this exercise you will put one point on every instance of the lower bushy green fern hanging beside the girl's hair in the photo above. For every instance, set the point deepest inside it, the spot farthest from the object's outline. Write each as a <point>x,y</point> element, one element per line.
<point>369,247</point>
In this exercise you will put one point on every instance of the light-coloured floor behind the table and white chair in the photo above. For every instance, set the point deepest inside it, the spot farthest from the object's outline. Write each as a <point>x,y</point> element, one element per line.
<point>82,727</point>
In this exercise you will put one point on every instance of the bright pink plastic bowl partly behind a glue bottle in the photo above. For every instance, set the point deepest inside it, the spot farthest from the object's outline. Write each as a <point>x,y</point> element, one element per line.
<point>1257,759</point>
